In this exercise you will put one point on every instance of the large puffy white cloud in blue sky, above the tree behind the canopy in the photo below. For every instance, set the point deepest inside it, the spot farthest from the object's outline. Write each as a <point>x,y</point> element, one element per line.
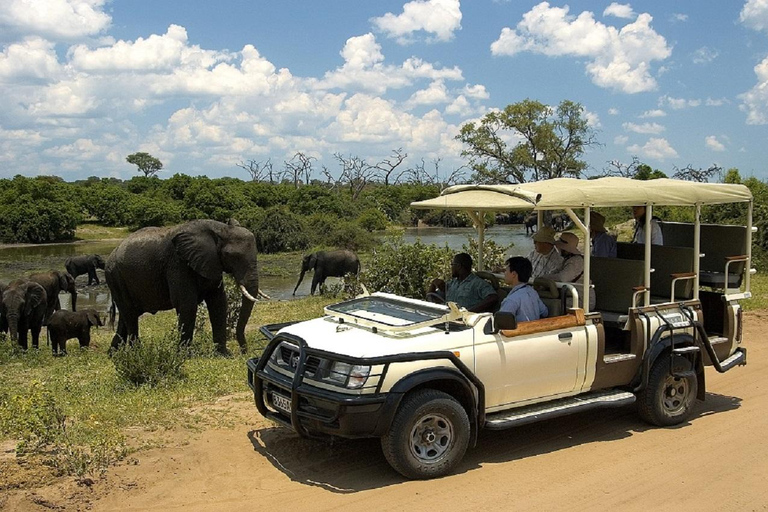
<point>616,59</point>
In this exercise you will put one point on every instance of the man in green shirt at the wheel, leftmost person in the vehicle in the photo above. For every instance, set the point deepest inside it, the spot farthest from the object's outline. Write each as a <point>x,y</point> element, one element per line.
<point>465,288</point>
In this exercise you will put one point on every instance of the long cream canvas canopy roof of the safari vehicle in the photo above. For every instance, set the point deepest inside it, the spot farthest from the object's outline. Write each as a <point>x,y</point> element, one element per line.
<point>562,193</point>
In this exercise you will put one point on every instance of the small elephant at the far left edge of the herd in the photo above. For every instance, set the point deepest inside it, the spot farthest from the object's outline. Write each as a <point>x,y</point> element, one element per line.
<point>22,309</point>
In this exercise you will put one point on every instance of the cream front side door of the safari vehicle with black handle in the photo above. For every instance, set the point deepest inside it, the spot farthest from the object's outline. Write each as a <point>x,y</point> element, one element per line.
<point>527,367</point>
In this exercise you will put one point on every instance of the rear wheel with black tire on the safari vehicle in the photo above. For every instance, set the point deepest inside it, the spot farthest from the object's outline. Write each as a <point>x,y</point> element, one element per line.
<point>668,400</point>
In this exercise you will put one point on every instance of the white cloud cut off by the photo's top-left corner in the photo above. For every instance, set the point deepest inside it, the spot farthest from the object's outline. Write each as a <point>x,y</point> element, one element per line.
<point>55,19</point>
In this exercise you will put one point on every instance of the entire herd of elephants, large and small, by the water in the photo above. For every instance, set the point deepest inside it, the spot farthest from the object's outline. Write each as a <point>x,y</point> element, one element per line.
<point>155,269</point>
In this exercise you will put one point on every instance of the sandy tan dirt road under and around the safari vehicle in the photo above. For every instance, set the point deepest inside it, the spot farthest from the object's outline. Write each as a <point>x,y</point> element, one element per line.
<point>598,460</point>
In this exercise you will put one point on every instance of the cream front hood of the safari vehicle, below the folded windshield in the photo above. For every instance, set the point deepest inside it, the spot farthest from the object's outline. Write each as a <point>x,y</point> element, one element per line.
<point>328,334</point>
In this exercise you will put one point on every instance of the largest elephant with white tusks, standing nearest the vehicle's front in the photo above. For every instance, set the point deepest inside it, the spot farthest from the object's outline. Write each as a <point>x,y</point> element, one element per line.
<point>179,267</point>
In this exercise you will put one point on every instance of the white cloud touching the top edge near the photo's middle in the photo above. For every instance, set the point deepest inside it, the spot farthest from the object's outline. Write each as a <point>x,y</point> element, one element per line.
<point>441,18</point>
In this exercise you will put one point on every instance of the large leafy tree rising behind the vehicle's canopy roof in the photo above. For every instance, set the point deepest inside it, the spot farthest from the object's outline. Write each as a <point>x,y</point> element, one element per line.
<point>549,142</point>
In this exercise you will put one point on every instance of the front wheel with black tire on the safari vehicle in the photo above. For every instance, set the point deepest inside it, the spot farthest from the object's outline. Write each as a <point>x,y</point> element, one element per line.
<point>428,436</point>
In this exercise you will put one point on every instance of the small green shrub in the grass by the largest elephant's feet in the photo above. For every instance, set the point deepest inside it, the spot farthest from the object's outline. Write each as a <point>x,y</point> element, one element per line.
<point>150,361</point>
